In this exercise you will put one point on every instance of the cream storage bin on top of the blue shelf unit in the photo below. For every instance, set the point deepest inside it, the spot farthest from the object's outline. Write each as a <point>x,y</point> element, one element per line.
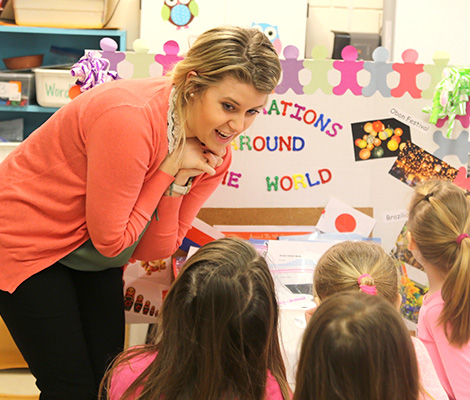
<point>84,14</point>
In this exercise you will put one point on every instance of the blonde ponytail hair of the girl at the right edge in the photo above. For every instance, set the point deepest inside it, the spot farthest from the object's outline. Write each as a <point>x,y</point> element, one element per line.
<point>439,213</point>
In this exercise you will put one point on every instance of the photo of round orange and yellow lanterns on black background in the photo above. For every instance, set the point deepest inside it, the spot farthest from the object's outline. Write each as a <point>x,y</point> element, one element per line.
<point>378,138</point>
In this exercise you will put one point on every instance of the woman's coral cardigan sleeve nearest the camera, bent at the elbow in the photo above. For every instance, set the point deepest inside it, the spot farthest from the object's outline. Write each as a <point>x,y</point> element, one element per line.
<point>121,194</point>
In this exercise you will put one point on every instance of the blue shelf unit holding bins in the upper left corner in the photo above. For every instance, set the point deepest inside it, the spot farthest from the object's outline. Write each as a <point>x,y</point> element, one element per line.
<point>59,46</point>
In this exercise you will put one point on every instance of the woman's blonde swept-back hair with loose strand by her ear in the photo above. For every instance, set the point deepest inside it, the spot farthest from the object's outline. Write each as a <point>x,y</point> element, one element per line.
<point>245,54</point>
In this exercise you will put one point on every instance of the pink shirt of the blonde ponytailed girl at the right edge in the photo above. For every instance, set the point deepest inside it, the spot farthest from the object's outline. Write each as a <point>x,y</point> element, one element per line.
<point>452,364</point>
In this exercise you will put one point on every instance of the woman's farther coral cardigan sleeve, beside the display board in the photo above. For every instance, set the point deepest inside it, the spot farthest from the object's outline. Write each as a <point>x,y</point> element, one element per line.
<point>175,216</point>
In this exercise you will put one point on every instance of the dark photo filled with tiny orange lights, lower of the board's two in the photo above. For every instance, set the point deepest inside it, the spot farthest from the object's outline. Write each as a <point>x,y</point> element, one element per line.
<point>415,165</point>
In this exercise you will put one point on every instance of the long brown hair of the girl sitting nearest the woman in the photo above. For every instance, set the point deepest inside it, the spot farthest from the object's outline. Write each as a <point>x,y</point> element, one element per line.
<point>219,330</point>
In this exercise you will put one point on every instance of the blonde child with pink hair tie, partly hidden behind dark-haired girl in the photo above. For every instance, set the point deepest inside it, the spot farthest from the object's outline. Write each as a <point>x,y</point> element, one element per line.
<point>365,267</point>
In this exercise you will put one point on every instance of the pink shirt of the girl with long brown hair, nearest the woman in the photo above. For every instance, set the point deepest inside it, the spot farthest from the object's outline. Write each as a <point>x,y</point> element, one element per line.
<point>128,373</point>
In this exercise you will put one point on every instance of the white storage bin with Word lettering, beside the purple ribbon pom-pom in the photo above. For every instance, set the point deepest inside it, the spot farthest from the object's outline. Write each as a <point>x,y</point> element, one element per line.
<point>52,86</point>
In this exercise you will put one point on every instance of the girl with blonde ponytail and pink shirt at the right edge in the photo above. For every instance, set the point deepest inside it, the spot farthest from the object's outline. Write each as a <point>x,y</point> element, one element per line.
<point>438,237</point>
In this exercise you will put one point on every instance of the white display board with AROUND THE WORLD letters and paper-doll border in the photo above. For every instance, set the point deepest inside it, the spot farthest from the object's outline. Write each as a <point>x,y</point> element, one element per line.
<point>336,129</point>
